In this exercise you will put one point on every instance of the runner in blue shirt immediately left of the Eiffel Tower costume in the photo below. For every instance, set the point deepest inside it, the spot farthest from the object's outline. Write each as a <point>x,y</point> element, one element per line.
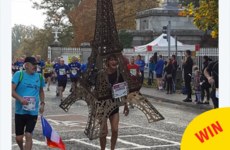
<point>74,67</point>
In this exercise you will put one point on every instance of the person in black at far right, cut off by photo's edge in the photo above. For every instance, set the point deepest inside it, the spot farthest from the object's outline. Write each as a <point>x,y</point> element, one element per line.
<point>214,69</point>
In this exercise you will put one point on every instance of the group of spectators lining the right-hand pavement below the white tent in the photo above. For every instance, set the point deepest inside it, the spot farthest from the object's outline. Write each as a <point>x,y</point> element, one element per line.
<point>202,78</point>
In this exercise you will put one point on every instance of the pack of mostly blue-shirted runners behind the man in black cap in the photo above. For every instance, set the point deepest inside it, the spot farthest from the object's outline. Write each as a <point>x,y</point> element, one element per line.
<point>55,71</point>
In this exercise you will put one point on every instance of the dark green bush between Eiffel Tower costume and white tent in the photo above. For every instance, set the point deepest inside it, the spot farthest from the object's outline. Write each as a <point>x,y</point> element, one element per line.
<point>125,38</point>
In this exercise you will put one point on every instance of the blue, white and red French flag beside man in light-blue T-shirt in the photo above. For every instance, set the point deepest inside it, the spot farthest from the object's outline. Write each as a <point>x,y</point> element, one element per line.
<point>52,138</point>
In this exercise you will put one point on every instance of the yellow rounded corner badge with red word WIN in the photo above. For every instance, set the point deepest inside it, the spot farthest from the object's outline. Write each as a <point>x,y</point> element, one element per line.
<point>208,131</point>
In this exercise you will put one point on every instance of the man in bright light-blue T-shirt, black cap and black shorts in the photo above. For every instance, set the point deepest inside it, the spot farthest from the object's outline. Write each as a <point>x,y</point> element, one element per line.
<point>27,89</point>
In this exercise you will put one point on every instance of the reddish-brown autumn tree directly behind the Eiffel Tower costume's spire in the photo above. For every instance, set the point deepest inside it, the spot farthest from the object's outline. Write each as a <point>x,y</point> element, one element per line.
<point>83,17</point>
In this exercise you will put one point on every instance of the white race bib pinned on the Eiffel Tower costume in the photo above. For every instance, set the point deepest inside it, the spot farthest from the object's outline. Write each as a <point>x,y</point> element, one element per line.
<point>119,90</point>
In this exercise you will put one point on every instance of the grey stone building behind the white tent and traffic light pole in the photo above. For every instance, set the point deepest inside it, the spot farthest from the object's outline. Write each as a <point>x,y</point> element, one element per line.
<point>150,23</point>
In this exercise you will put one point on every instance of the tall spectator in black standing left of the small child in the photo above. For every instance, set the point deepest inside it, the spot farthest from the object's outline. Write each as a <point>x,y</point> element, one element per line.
<point>187,65</point>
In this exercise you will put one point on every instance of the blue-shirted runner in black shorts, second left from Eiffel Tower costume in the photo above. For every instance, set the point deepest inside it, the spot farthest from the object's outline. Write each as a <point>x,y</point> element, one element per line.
<point>61,71</point>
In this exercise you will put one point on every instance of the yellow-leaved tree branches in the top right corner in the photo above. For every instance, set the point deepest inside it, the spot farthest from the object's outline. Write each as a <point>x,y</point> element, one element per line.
<point>205,16</point>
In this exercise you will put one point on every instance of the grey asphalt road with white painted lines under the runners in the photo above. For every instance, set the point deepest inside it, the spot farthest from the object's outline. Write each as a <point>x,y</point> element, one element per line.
<point>134,130</point>
